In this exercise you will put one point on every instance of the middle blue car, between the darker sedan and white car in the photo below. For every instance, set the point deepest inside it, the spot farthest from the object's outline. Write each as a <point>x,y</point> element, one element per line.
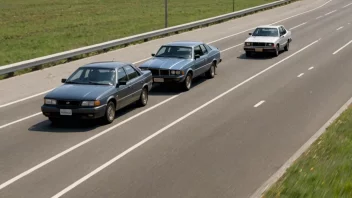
<point>180,62</point>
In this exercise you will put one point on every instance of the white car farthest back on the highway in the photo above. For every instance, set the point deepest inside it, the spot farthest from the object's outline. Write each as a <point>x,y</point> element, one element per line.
<point>268,39</point>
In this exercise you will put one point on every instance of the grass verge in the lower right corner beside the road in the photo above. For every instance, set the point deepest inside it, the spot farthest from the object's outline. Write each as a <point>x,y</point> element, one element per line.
<point>325,170</point>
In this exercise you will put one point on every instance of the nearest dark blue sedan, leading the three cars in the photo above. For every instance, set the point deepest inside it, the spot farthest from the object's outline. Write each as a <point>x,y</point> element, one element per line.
<point>97,90</point>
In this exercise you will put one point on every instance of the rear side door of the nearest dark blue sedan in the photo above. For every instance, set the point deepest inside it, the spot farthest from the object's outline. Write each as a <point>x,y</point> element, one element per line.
<point>134,83</point>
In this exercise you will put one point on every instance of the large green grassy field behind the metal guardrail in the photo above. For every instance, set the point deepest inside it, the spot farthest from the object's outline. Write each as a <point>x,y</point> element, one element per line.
<point>34,28</point>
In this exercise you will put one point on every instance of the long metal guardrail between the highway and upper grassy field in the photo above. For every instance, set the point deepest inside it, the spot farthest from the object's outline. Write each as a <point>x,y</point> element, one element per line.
<point>6,69</point>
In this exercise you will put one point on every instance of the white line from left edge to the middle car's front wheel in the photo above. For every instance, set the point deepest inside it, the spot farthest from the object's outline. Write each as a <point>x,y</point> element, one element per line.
<point>3,185</point>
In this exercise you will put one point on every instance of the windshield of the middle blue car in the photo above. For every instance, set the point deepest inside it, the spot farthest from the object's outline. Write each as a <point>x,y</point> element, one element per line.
<point>175,51</point>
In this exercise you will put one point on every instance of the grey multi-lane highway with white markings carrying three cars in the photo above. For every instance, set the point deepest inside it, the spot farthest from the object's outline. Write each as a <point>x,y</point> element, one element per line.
<point>223,138</point>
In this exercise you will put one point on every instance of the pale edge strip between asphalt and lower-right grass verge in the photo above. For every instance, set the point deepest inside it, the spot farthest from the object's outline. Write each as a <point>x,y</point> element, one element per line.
<point>277,175</point>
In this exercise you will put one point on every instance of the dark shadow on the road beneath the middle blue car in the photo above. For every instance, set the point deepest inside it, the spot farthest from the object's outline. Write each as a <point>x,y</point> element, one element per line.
<point>171,89</point>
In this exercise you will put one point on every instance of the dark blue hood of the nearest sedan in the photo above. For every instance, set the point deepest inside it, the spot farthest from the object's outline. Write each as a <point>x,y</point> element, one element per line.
<point>78,92</point>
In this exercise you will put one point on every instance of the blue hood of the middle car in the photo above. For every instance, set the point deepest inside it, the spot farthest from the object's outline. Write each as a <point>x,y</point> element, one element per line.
<point>165,63</point>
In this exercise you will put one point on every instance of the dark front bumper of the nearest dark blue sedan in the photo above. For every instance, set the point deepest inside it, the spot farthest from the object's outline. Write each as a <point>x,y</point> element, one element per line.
<point>79,113</point>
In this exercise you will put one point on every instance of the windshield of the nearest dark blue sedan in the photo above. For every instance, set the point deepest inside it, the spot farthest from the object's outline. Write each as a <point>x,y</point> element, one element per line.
<point>96,76</point>
